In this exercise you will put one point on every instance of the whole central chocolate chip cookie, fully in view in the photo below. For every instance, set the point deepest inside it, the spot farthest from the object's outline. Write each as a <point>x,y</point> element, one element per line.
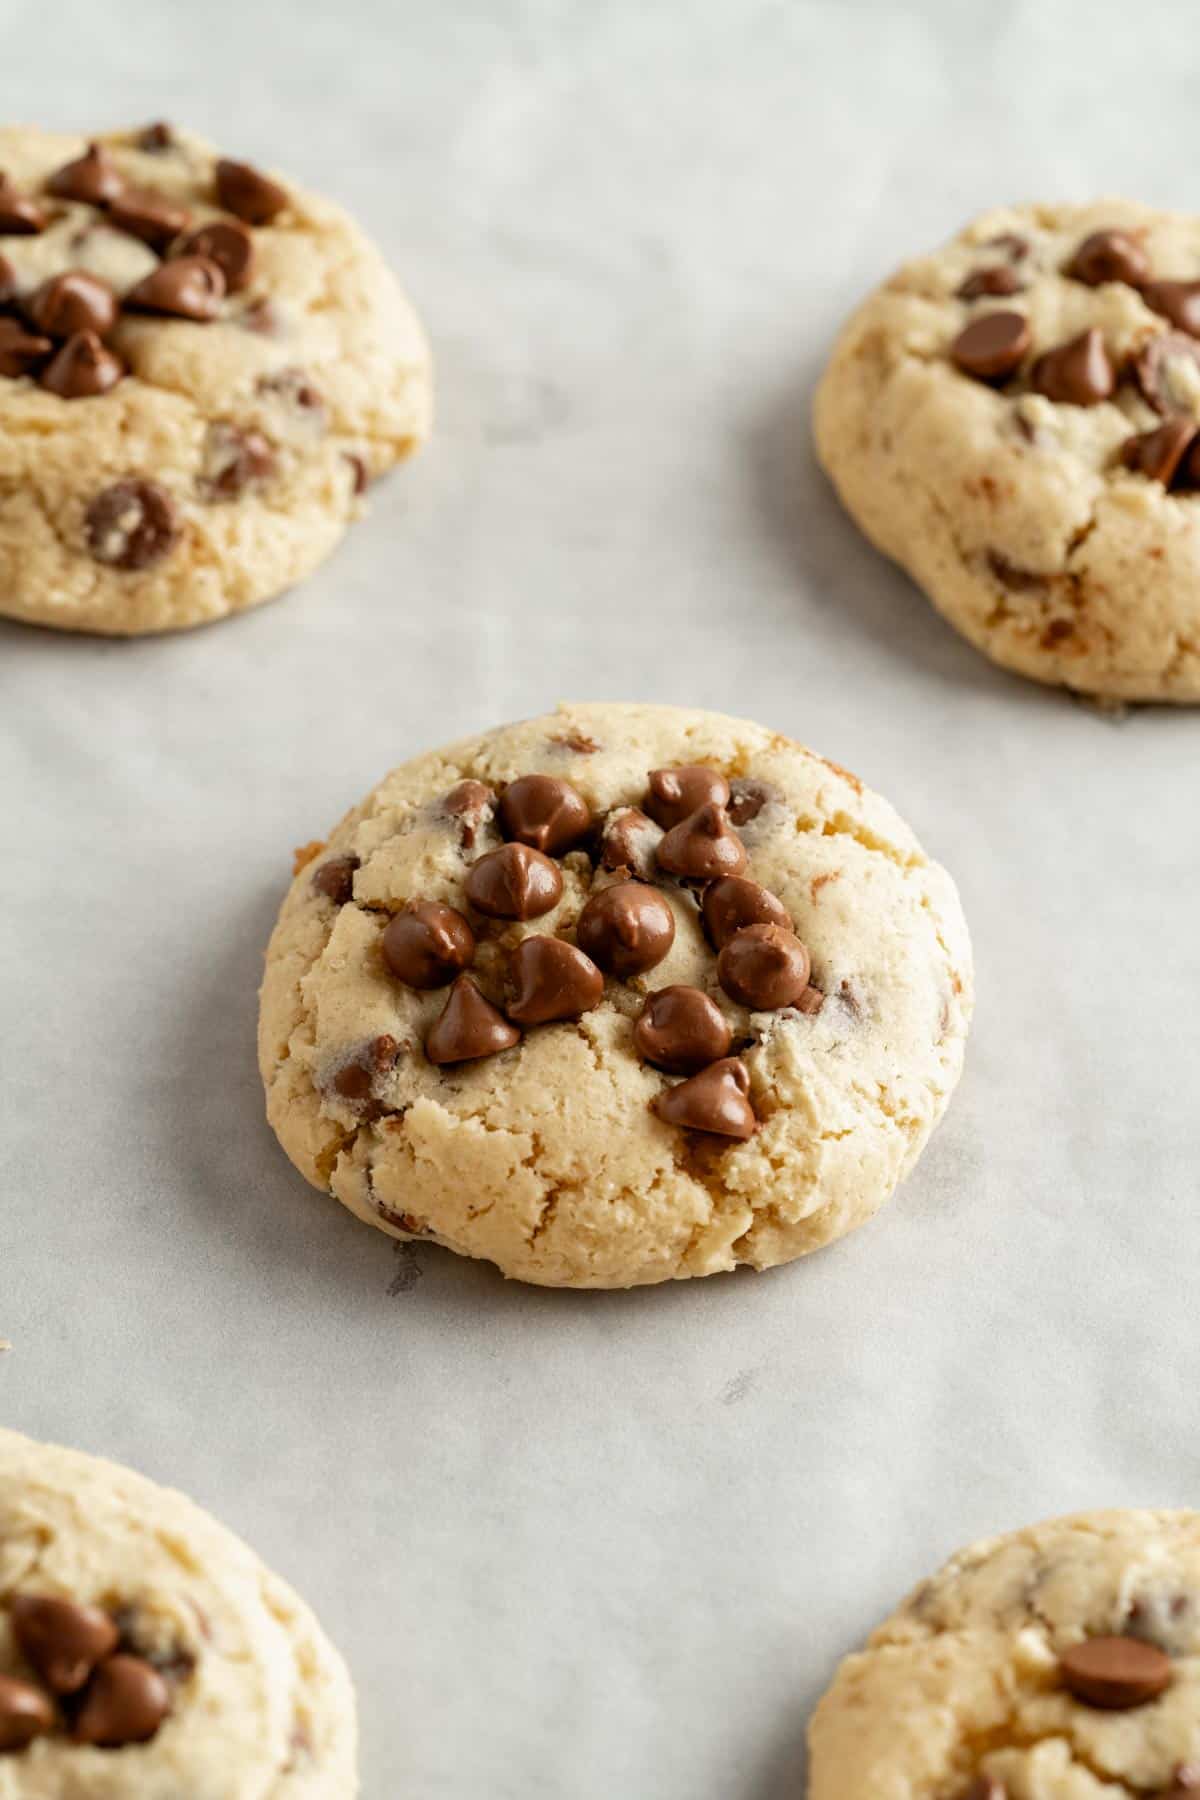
<point>616,996</point>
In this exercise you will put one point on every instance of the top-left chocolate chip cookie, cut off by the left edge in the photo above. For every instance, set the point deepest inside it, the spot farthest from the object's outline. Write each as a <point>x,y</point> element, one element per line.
<point>201,372</point>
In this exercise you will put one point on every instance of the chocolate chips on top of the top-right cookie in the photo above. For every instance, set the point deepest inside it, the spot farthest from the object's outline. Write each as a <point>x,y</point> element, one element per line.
<point>1082,372</point>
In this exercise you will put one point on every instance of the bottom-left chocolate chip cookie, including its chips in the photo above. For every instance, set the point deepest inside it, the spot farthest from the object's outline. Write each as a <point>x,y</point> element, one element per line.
<point>147,1651</point>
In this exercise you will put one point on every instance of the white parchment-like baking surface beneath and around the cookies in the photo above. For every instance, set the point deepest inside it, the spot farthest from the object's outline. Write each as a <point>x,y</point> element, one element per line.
<point>605,1547</point>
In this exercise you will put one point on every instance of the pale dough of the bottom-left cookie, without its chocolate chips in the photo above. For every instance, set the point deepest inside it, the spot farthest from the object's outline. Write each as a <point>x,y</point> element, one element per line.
<point>267,1713</point>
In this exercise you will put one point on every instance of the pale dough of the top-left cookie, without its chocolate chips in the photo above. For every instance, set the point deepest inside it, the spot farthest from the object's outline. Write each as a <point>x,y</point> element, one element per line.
<point>343,321</point>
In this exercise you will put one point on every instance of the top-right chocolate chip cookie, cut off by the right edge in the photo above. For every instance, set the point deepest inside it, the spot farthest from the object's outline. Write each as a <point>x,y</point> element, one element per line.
<point>1016,420</point>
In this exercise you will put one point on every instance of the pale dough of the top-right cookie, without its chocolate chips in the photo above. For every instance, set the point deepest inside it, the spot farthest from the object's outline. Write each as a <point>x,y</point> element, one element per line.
<point>1012,512</point>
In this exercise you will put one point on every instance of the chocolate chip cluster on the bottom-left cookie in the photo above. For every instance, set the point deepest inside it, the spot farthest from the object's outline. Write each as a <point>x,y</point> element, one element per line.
<point>91,1687</point>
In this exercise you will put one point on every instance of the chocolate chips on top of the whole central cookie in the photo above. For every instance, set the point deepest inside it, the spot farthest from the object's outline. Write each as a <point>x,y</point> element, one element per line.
<point>685,832</point>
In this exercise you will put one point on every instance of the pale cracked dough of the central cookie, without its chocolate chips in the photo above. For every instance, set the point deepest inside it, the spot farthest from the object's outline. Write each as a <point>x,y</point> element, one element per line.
<point>548,1160</point>
